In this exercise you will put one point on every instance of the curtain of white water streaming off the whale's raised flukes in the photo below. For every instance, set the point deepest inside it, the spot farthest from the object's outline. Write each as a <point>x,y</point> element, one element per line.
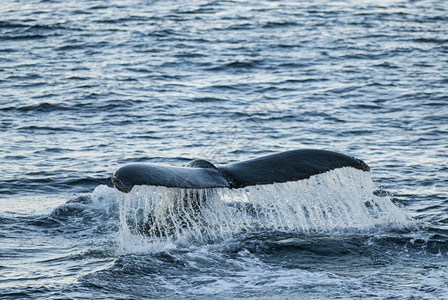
<point>338,201</point>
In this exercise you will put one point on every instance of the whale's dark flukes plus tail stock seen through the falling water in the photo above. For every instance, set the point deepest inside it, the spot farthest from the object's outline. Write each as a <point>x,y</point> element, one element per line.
<point>192,185</point>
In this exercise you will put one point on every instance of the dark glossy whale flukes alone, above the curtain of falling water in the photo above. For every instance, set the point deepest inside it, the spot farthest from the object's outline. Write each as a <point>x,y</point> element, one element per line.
<point>280,167</point>
